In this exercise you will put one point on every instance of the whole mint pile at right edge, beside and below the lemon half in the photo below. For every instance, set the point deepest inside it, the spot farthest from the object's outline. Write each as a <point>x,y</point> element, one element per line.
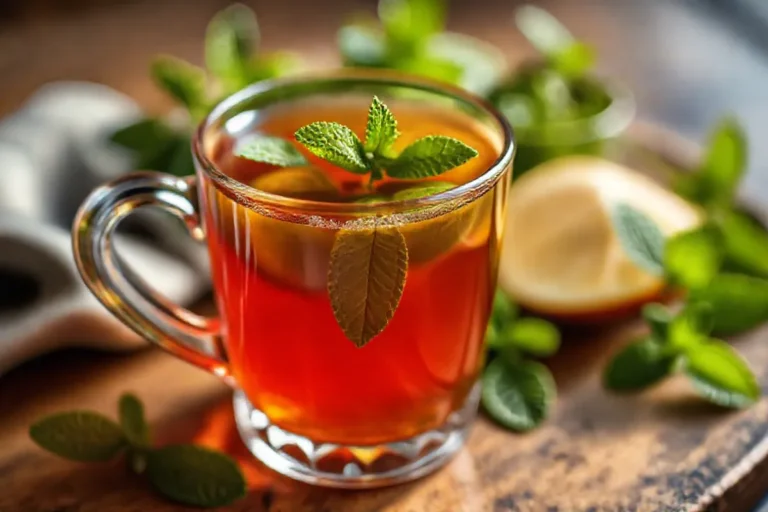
<point>715,264</point>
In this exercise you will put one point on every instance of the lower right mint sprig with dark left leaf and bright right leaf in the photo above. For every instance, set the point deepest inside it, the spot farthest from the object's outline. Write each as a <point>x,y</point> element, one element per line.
<point>682,343</point>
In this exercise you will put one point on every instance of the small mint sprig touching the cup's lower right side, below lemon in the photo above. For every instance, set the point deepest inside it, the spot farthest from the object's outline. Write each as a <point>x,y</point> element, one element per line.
<point>518,392</point>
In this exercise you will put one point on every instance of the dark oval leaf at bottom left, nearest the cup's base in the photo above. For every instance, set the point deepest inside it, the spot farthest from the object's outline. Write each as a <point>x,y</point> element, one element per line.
<point>193,475</point>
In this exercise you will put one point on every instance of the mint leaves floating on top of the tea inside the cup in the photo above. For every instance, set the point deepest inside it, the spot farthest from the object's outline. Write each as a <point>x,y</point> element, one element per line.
<point>338,144</point>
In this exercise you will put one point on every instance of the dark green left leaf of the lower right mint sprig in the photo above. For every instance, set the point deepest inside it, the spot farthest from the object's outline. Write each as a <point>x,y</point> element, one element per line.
<point>638,366</point>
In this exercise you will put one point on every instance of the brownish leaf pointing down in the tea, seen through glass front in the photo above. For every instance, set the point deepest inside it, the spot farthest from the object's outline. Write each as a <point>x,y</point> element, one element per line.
<point>366,279</point>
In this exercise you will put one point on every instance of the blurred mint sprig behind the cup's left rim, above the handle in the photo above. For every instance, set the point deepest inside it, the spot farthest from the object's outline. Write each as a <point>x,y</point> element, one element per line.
<point>233,61</point>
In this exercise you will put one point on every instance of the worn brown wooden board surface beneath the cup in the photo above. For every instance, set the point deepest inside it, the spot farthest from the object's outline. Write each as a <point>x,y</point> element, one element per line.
<point>661,451</point>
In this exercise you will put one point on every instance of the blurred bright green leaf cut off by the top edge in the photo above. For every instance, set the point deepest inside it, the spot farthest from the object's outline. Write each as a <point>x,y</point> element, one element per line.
<point>409,23</point>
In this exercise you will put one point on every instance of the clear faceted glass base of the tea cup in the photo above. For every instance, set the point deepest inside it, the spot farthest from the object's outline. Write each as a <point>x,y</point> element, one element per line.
<point>352,467</point>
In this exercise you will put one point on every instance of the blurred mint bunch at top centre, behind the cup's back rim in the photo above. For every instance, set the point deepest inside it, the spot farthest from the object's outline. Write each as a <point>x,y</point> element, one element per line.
<point>409,36</point>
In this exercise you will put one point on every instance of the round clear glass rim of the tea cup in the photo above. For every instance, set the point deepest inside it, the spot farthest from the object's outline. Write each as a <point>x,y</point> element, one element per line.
<point>240,191</point>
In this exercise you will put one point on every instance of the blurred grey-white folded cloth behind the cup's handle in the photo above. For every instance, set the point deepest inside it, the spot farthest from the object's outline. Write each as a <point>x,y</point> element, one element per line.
<point>53,152</point>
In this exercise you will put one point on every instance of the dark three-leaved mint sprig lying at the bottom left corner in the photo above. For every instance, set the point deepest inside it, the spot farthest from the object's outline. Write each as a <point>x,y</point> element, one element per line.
<point>187,474</point>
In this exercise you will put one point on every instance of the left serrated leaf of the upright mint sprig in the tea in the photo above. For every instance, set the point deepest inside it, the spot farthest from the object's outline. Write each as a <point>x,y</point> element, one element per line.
<point>336,144</point>
